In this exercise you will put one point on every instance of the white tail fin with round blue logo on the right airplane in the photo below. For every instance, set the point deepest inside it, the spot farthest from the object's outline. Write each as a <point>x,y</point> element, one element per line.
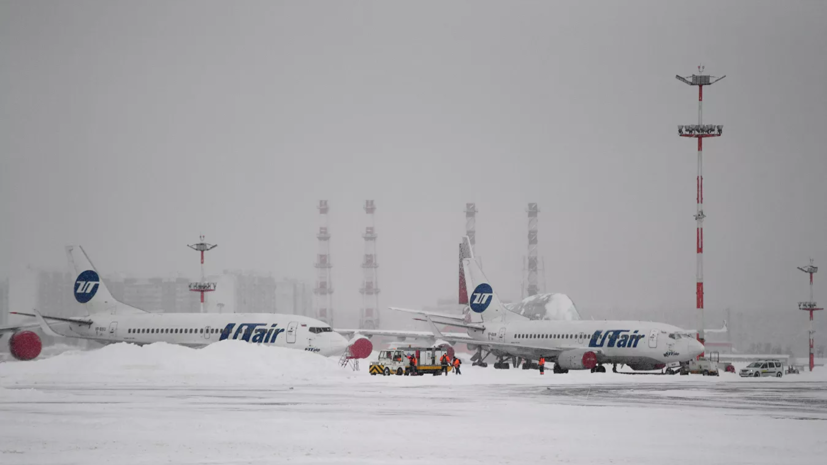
<point>483,301</point>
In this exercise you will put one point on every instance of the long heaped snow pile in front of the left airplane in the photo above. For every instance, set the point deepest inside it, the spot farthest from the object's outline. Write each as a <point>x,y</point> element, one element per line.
<point>226,362</point>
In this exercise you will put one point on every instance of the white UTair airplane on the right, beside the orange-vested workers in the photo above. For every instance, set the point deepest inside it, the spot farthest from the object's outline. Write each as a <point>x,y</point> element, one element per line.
<point>572,345</point>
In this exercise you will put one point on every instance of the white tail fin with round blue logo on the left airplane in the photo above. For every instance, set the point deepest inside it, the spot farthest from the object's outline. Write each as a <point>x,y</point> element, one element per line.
<point>89,288</point>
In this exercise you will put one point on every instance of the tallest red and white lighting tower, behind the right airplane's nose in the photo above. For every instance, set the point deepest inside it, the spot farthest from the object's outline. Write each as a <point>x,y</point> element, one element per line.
<point>700,131</point>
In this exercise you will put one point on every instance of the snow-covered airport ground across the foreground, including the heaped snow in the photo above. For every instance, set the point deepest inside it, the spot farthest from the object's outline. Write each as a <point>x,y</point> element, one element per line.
<point>235,403</point>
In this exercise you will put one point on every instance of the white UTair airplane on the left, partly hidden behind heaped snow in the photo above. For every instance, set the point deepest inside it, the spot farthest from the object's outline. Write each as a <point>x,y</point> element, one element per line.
<point>111,321</point>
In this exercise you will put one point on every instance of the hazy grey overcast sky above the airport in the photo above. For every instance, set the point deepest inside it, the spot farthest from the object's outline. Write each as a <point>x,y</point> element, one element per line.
<point>133,127</point>
